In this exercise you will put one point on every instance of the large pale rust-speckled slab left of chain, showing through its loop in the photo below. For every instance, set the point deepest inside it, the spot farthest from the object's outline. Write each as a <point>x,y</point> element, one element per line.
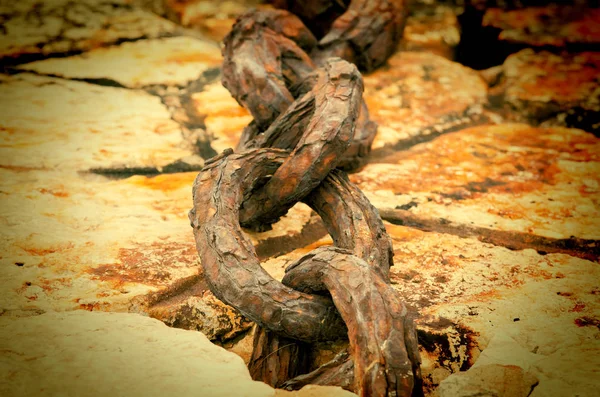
<point>117,245</point>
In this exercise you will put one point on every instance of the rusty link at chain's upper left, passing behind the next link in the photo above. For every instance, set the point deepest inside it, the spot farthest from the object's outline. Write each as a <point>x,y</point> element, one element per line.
<point>265,68</point>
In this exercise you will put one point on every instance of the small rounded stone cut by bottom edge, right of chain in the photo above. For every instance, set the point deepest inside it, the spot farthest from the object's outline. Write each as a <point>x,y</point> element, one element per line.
<point>489,380</point>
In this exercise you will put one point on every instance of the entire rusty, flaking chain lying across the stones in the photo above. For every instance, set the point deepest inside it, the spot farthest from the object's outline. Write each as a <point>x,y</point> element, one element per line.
<point>310,123</point>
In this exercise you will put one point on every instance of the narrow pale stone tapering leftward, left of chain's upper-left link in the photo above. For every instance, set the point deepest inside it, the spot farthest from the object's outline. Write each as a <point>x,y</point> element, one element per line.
<point>174,61</point>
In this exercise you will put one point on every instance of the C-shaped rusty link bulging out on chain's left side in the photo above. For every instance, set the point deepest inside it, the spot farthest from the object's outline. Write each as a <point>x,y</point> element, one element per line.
<point>230,265</point>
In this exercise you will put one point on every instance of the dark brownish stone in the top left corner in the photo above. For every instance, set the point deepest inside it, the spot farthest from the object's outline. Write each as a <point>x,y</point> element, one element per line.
<point>36,28</point>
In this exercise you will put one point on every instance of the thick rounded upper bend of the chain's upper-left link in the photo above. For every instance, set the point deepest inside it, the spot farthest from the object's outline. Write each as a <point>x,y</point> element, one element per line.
<point>264,54</point>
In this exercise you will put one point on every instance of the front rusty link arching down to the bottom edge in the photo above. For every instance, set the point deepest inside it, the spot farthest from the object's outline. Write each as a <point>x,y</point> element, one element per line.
<point>380,342</point>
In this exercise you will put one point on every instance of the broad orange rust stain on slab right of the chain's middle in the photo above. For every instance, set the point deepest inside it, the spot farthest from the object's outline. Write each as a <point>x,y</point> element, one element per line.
<point>513,159</point>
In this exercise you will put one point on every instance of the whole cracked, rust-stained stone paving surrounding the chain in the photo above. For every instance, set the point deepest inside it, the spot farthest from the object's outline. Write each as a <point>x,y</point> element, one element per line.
<point>494,227</point>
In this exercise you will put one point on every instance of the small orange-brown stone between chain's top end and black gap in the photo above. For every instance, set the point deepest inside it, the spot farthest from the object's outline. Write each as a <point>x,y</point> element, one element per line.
<point>432,29</point>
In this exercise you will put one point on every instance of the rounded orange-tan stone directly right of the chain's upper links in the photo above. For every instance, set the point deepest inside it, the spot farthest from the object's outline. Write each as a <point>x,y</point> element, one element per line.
<point>420,95</point>
